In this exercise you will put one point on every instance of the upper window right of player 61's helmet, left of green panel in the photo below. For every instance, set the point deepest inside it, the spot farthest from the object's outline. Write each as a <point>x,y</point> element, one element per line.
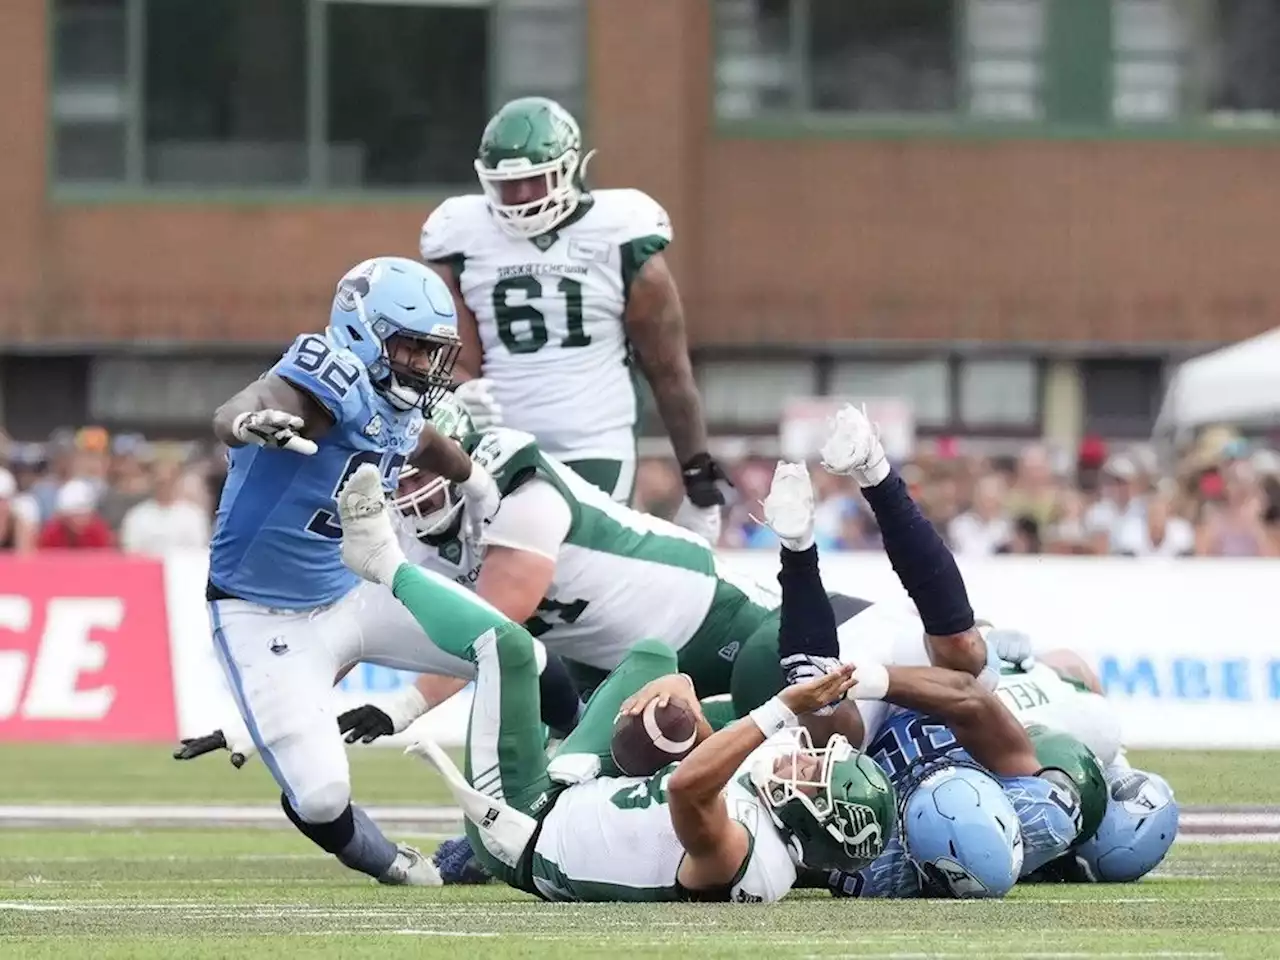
<point>880,57</point>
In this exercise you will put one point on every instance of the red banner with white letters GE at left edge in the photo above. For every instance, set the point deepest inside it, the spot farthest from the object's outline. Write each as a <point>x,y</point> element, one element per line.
<point>85,650</point>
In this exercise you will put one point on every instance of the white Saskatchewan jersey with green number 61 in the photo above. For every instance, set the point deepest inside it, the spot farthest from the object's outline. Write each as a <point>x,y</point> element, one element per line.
<point>550,313</point>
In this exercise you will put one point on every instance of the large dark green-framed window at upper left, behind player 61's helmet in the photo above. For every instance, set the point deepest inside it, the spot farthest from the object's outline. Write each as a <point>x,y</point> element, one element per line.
<point>298,94</point>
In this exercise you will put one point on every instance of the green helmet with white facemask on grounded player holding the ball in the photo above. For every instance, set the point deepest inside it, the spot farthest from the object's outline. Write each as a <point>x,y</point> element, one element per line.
<point>843,820</point>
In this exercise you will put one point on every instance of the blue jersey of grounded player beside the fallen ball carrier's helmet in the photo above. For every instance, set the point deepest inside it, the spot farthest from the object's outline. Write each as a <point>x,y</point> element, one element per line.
<point>1049,817</point>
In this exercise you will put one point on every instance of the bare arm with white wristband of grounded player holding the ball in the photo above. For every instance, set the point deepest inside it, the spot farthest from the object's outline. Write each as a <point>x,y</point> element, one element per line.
<point>716,845</point>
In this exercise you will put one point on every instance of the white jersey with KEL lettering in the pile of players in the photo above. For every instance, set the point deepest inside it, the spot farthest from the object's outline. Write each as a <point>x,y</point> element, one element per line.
<point>1041,697</point>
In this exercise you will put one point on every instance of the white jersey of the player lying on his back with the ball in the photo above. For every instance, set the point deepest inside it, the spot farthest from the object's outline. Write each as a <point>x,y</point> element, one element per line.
<point>612,840</point>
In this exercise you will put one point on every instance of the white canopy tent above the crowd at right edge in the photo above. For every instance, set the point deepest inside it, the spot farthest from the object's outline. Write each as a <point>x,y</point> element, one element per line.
<point>1238,386</point>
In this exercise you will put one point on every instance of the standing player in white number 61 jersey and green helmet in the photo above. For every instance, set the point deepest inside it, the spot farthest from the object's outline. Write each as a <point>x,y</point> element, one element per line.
<point>561,291</point>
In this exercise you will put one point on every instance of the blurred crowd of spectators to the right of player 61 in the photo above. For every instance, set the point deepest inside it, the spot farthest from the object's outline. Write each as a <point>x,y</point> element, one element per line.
<point>1222,499</point>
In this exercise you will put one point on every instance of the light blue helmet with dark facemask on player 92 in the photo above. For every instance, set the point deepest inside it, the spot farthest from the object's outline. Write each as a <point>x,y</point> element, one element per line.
<point>387,300</point>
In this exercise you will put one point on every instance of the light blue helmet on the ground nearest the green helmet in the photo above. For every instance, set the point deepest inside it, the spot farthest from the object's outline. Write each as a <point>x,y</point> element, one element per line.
<point>962,833</point>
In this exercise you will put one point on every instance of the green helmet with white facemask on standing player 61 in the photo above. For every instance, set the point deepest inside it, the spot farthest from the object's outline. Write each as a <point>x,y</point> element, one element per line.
<point>533,138</point>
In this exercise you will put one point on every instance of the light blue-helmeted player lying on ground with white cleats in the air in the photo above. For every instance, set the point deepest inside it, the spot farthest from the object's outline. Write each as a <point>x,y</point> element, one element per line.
<point>962,831</point>
